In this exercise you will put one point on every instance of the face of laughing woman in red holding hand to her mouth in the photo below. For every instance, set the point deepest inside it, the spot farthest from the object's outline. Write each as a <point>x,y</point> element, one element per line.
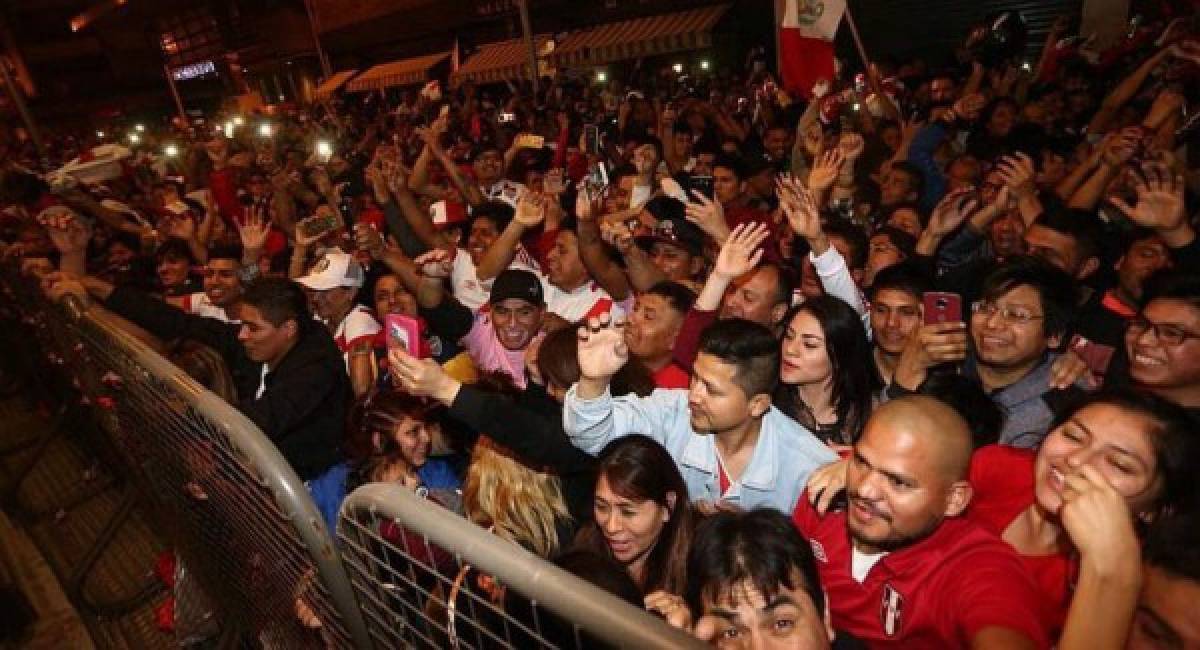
<point>1111,440</point>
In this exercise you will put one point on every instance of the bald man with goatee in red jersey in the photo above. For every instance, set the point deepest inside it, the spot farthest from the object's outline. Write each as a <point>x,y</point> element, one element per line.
<point>901,567</point>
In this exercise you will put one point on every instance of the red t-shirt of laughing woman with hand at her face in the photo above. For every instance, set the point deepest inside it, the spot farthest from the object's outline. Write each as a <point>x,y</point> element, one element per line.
<point>1003,479</point>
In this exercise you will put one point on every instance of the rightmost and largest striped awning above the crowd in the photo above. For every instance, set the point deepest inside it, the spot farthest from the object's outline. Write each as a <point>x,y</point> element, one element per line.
<point>650,37</point>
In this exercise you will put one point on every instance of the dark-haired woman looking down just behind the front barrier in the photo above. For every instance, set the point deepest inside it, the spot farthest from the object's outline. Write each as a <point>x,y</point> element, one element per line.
<point>641,515</point>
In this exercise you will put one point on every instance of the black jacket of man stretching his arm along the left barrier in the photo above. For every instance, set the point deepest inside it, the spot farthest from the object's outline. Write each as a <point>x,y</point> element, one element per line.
<point>303,410</point>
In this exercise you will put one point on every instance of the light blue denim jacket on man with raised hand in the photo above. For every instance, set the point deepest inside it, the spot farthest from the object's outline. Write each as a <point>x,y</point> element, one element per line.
<point>779,470</point>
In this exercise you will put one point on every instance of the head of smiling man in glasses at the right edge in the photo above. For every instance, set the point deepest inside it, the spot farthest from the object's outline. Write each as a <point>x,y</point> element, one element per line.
<point>1163,341</point>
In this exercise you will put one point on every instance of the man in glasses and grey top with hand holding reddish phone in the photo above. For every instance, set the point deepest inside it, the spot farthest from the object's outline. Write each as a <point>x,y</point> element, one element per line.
<point>1007,346</point>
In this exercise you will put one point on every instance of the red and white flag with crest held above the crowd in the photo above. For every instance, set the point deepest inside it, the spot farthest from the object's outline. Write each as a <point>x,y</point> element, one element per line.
<point>806,41</point>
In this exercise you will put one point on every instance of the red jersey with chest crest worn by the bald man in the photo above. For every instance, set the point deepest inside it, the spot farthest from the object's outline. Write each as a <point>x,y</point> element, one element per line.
<point>938,593</point>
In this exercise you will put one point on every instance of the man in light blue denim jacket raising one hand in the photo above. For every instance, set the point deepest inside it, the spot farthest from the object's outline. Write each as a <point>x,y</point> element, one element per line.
<point>730,443</point>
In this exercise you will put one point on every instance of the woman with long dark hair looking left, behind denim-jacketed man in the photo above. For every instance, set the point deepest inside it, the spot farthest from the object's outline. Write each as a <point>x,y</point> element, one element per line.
<point>827,374</point>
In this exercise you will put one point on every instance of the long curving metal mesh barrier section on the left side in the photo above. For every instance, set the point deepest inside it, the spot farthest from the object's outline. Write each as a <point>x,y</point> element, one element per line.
<point>238,516</point>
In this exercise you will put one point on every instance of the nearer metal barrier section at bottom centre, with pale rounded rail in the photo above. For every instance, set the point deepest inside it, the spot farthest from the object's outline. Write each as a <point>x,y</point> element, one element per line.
<point>424,589</point>
